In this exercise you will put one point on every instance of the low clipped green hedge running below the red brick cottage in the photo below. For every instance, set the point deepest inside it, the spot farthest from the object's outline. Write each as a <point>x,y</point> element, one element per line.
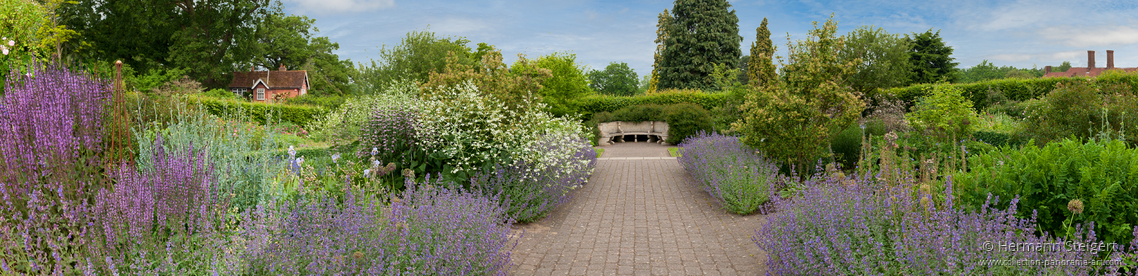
<point>259,112</point>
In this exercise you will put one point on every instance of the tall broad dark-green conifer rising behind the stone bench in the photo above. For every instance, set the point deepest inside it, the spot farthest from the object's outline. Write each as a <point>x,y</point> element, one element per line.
<point>700,35</point>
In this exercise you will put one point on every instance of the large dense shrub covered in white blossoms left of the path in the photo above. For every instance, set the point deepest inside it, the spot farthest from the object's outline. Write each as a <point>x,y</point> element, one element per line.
<point>474,132</point>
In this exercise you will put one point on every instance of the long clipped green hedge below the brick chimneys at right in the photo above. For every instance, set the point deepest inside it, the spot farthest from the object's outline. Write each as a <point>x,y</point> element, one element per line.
<point>1013,89</point>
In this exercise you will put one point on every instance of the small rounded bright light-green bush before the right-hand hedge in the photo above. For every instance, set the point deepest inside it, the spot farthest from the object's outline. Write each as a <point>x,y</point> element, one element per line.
<point>945,115</point>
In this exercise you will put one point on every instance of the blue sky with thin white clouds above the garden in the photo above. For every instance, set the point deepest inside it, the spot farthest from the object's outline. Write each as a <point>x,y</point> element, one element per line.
<point>1008,34</point>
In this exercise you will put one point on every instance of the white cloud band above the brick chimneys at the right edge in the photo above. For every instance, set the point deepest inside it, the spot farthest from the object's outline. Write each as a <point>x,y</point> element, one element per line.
<point>1091,37</point>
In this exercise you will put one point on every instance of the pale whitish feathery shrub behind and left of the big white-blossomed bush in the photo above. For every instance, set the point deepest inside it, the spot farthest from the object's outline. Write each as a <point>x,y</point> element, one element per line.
<point>344,124</point>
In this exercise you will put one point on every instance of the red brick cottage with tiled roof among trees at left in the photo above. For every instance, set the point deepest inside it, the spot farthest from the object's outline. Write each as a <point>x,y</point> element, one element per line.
<point>270,86</point>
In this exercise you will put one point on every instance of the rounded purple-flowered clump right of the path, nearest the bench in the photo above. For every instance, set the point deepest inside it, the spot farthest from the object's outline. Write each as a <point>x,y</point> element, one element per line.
<point>736,175</point>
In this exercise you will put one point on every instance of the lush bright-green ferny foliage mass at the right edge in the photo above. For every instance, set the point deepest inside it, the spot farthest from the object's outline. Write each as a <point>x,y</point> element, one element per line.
<point>1103,175</point>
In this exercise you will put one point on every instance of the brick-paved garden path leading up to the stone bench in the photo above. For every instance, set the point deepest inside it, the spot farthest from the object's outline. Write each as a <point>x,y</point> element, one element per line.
<point>642,216</point>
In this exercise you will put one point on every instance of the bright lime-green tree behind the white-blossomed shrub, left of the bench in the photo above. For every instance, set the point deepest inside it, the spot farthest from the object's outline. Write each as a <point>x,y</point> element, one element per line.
<point>568,81</point>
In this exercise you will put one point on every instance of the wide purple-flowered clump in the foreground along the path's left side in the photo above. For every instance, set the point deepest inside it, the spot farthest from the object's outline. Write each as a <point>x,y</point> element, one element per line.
<point>430,230</point>
